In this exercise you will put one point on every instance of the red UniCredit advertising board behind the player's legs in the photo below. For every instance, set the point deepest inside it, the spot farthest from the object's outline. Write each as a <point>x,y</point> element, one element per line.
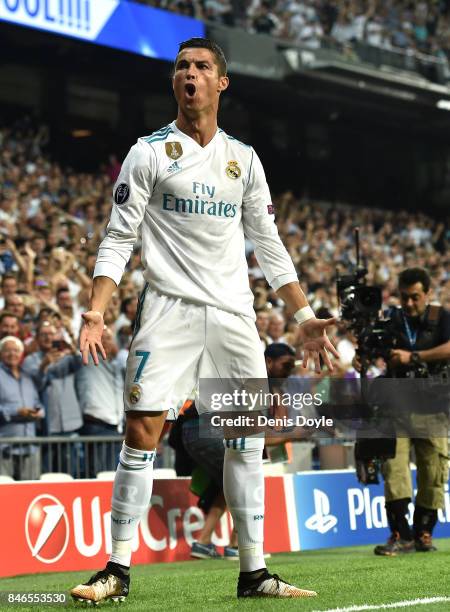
<point>66,526</point>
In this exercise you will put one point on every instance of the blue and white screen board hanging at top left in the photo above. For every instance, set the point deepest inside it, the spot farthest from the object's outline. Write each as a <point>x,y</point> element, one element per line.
<point>114,23</point>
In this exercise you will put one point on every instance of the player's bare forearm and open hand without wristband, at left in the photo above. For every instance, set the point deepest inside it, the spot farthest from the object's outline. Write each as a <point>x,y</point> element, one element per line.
<point>93,324</point>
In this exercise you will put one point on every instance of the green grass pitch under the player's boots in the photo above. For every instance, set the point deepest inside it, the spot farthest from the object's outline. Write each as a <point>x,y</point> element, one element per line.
<point>342,577</point>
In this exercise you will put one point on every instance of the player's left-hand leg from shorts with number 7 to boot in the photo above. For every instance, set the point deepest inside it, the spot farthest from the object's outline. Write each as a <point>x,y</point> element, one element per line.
<point>161,369</point>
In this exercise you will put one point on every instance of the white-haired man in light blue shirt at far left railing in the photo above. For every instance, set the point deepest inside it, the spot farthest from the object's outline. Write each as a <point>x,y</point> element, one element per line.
<point>20,410</point>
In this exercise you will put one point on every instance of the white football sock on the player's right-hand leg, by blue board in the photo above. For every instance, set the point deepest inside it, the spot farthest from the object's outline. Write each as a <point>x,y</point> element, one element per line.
<point>243,485</point>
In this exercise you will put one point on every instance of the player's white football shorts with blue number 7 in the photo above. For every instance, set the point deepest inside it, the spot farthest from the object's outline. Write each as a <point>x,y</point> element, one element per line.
<point>177,343</point>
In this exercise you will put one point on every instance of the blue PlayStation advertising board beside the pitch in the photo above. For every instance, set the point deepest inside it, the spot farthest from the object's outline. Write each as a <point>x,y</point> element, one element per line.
<point>333,509</point>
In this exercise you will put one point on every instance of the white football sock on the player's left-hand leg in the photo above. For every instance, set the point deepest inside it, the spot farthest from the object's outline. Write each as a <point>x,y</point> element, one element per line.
<point>131,497</point>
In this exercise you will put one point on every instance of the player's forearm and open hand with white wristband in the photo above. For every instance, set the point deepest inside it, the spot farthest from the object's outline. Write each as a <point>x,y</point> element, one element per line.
<point>313,333</point>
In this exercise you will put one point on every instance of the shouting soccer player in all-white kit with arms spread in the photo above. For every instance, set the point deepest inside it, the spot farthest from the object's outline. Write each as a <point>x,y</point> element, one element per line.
<point>194,191</point>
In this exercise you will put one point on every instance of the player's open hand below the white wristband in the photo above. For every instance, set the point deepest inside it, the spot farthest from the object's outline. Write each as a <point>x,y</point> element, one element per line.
<point>316,343</point>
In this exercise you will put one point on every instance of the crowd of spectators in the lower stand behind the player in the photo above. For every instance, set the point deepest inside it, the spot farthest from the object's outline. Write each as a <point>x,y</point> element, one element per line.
<point>51,222</point>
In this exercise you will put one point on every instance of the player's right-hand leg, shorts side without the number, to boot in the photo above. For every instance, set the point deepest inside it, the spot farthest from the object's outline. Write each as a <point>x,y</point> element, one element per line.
<point>234,352</point>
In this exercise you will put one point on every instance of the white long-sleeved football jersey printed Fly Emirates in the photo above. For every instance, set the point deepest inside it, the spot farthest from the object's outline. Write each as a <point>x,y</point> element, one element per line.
<point>194,205</point>
